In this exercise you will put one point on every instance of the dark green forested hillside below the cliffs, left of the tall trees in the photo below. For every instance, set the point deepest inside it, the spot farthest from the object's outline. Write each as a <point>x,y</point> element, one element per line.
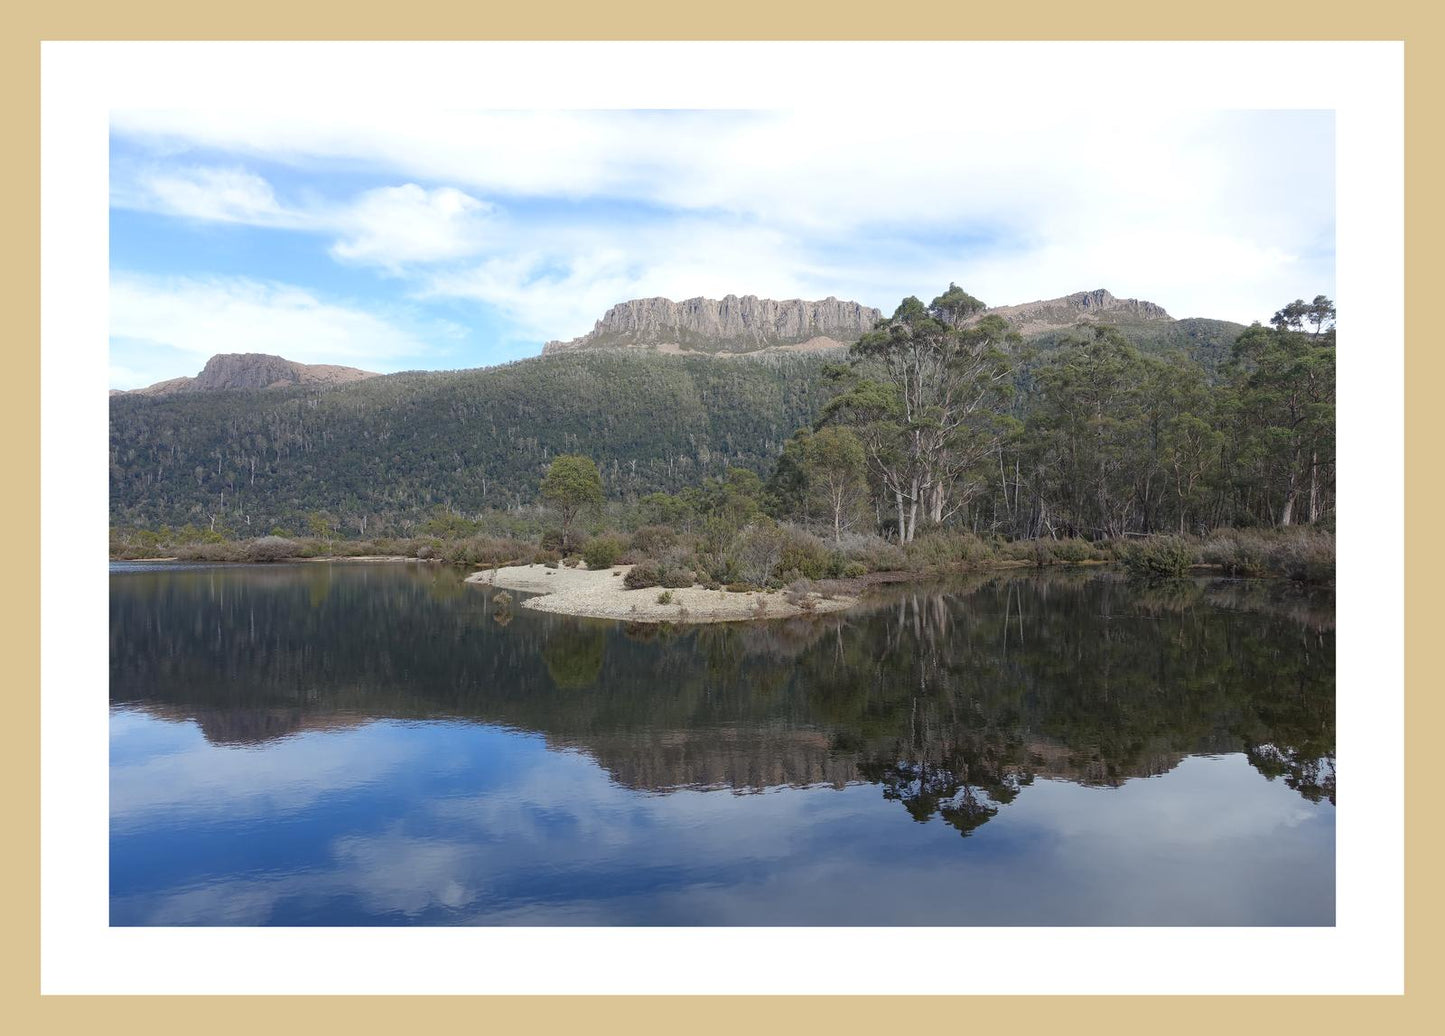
<point>394,449</point>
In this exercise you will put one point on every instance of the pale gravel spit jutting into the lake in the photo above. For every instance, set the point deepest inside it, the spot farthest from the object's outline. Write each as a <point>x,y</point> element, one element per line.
<point>602,595</point>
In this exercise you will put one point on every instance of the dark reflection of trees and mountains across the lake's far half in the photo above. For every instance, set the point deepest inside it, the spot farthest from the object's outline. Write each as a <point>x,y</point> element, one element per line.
<point>952,699</point>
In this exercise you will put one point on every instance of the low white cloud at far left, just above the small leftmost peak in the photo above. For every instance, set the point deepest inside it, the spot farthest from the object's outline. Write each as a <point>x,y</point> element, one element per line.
<point>200,317</point>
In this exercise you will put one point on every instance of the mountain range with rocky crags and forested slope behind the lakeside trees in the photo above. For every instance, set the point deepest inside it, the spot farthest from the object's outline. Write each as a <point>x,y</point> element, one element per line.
<point>645,395</point>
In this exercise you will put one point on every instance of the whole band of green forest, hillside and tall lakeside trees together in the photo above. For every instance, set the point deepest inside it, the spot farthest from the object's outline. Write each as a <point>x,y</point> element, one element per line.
<point>941,417</point>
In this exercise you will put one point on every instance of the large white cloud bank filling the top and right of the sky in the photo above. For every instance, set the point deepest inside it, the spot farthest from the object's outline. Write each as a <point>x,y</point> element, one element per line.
<point>1219,215</point>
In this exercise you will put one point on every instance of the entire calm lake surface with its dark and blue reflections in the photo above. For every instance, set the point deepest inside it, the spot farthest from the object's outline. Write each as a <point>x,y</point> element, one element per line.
<point>376,745</point>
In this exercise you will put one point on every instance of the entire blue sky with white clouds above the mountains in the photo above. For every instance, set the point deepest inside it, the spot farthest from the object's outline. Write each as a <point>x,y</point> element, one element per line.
<point>450,239</point>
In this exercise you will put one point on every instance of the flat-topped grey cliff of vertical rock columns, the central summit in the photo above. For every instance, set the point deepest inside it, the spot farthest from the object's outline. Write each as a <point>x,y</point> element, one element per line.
<point>728,326</point>
